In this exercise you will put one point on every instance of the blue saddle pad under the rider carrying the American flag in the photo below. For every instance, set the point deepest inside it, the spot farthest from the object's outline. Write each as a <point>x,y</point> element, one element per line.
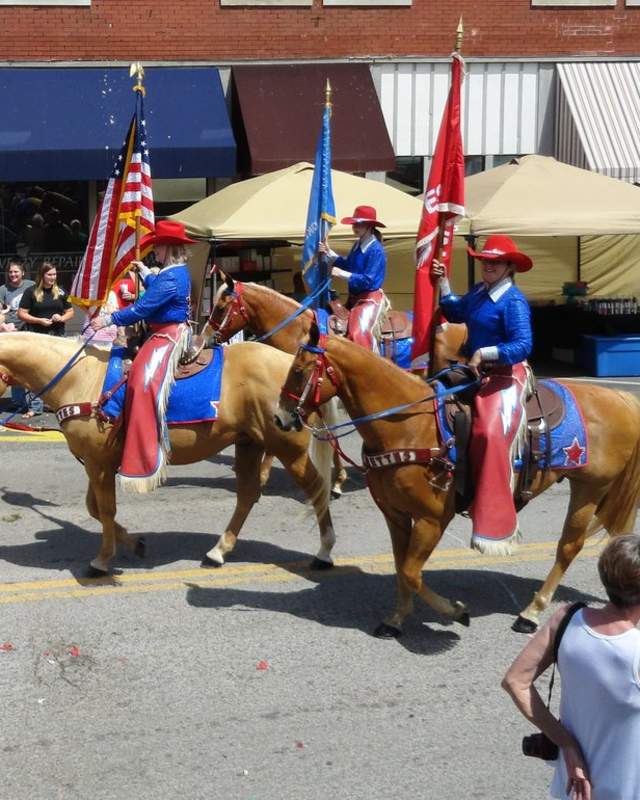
<point>192,400</point>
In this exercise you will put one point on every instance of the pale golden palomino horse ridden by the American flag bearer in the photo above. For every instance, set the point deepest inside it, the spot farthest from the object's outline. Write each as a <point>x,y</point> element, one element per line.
<point>251,381</point>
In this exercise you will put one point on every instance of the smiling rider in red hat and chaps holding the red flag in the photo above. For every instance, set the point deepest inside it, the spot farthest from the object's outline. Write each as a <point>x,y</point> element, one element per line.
<point>498,318</point>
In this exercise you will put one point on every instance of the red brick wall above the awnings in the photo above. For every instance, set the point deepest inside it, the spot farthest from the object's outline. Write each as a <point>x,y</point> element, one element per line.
<point>202,30</point>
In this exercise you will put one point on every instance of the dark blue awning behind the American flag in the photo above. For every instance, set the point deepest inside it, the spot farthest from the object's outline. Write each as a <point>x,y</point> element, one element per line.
<point>69,123</point>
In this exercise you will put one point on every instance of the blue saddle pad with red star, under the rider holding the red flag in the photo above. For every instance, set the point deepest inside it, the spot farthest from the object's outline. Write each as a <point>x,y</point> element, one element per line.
<point>569,444</point>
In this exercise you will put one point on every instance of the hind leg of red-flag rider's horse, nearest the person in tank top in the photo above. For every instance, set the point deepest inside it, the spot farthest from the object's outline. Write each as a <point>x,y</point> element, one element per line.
<point>582,507</point>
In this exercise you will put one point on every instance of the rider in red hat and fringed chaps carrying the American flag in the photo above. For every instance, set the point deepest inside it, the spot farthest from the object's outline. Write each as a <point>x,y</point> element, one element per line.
<point>165,308</point>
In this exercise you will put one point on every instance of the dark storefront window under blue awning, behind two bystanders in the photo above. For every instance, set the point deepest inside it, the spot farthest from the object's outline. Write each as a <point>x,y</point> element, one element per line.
<point>44,220</point>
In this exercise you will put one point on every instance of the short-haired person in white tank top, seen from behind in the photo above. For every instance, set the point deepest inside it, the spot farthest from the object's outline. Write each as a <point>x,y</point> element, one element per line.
<point>599,660</point>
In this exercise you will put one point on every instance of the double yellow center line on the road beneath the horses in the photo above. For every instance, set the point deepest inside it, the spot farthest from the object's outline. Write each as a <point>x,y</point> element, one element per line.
<point>144,583</point>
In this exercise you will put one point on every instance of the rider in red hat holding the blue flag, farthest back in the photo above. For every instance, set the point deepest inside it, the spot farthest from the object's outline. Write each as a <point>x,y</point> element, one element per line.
<point>364,269</point>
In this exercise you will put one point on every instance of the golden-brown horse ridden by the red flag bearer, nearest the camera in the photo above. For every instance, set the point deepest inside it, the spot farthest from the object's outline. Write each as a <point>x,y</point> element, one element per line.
<point>603,494</point>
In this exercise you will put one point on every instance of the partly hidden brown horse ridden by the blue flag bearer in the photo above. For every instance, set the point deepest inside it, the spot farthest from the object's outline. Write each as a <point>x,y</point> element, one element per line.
<point>240,305</point>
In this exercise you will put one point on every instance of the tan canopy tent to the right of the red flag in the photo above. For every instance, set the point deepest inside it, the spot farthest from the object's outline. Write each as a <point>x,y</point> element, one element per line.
<point>572,222</point>
